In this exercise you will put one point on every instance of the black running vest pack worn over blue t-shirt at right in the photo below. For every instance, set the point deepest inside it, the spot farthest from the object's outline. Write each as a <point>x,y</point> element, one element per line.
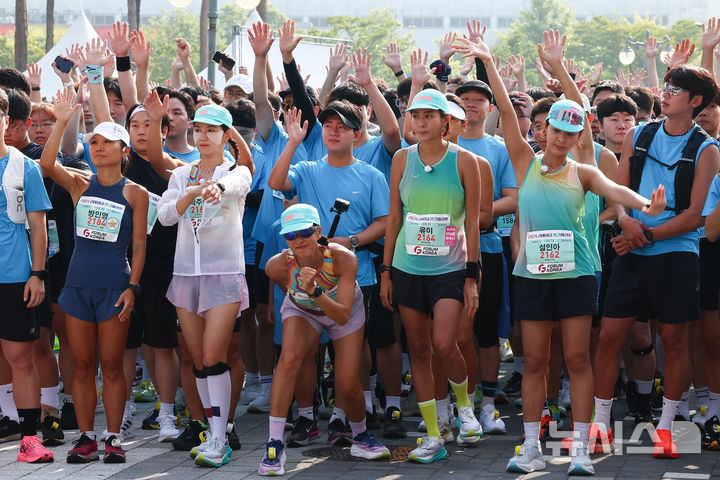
<point>684,167</point>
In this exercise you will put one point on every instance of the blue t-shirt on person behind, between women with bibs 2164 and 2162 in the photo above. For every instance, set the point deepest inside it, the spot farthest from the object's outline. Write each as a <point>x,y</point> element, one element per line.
<point>495,152</point>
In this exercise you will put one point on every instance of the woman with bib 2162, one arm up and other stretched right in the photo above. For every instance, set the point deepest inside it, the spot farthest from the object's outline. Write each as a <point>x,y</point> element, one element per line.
<point>555,273</point>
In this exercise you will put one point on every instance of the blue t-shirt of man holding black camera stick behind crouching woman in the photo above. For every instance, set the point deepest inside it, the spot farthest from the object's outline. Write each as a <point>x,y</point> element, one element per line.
<point>364,186</point>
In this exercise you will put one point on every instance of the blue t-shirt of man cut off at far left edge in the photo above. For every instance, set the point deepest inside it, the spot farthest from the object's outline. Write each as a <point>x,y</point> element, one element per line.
<point>15,253</point>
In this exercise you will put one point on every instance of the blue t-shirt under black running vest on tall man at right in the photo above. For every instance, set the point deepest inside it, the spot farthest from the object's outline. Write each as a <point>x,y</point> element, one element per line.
<point>667,149</point>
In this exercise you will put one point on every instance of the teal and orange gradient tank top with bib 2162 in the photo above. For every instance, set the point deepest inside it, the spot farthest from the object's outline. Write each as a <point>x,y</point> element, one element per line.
<point>552,236</point>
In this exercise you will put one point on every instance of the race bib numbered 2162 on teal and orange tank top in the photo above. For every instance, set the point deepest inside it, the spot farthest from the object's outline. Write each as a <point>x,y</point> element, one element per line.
<point>550,251</point>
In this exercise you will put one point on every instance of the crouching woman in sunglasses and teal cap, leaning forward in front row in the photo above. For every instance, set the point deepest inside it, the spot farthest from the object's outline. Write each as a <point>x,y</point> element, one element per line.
<point>322,293</point>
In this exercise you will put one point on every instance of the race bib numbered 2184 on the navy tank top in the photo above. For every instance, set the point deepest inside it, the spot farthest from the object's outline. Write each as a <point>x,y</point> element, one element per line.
<point>98,219</point>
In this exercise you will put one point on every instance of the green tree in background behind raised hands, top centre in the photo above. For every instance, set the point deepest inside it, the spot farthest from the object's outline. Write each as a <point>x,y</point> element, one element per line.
<point>374,32</point>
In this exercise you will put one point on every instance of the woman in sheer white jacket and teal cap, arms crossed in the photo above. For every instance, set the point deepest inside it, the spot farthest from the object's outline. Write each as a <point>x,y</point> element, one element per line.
<point>206,200</point>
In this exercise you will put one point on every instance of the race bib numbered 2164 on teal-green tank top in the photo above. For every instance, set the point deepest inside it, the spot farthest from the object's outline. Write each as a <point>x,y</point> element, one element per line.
<point>429,235</point>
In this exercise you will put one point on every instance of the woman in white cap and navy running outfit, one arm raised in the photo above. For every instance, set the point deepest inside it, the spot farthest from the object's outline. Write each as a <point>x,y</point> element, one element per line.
<point>110,212</point>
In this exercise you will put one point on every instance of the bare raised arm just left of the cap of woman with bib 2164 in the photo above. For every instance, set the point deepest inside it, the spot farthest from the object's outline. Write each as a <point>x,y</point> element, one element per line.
<point>383,112</point>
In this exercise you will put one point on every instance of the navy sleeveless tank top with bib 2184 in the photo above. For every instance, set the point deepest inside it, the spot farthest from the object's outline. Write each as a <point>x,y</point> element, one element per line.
<point>103,230</point>
